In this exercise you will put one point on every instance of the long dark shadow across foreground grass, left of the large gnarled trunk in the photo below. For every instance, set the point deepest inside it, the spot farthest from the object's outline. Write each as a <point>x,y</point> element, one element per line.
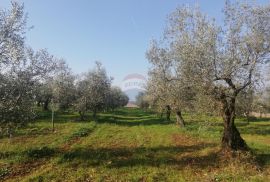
<point>141,156</point>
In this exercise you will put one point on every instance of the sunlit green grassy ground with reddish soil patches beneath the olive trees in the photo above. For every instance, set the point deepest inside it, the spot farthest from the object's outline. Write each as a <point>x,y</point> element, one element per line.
<point>132,145</point>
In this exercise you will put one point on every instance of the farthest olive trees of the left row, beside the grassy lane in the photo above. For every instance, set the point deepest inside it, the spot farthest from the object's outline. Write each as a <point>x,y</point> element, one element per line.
<point>95,94</point>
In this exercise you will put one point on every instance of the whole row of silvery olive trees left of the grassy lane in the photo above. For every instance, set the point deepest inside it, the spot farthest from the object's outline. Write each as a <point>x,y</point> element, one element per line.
<point>30,78</point>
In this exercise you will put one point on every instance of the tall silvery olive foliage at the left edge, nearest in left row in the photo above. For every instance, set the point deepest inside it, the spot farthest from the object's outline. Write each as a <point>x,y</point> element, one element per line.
<point>21,69</point>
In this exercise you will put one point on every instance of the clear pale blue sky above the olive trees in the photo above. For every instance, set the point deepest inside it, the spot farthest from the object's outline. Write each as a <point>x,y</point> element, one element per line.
<point>115,32</point>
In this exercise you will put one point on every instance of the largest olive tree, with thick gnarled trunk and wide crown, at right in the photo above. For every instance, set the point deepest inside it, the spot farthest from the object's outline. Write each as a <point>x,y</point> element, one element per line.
<point>222,61</point>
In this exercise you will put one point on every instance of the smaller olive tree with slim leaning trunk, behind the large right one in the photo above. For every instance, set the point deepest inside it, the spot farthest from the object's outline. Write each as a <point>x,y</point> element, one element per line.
<point>168,82</point>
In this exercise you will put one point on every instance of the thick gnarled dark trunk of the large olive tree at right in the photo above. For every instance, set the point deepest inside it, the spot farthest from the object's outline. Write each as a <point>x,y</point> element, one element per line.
<point>231,139</point>
